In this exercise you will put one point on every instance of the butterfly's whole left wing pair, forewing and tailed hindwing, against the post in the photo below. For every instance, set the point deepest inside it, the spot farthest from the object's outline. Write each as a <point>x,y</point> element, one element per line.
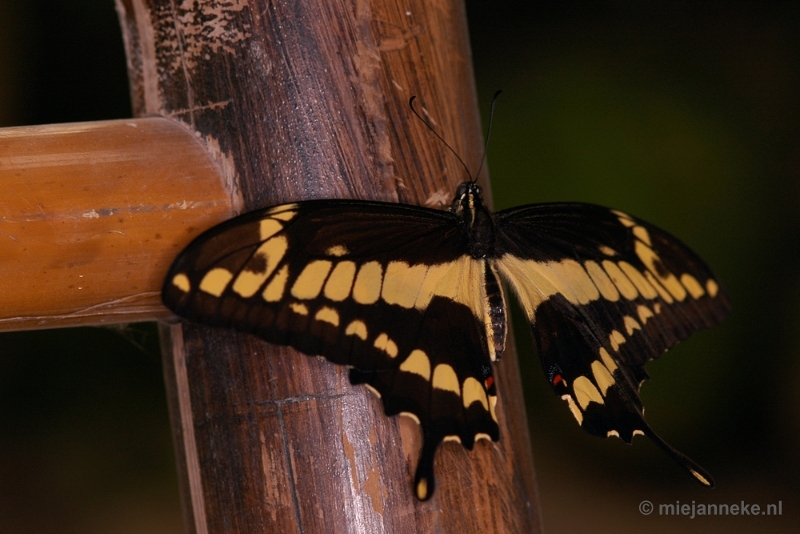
<point>386,289</point>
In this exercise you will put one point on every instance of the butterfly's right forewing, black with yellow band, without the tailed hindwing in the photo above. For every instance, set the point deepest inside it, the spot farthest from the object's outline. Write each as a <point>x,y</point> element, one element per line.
<point>620,274</point>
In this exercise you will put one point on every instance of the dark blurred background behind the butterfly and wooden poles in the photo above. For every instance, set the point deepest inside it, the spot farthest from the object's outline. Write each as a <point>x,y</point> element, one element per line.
<point>686,116</point>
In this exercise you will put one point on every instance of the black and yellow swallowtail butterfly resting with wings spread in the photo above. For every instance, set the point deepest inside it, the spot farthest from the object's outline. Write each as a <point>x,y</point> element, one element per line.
<point>411,300</point>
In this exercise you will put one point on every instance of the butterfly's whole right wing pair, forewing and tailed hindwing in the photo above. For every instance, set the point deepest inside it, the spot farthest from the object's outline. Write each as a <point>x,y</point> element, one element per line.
<point>605,293</point>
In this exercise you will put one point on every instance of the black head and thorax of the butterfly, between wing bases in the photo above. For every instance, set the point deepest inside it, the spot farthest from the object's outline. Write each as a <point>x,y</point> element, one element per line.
<point>475,221</point>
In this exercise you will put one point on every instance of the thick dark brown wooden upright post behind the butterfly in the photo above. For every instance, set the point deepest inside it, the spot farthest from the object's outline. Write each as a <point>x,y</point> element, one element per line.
<point>309,99</point>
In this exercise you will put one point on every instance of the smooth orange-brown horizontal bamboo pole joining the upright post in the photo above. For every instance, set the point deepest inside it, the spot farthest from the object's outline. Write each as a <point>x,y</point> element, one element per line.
<point>91,215</point>
